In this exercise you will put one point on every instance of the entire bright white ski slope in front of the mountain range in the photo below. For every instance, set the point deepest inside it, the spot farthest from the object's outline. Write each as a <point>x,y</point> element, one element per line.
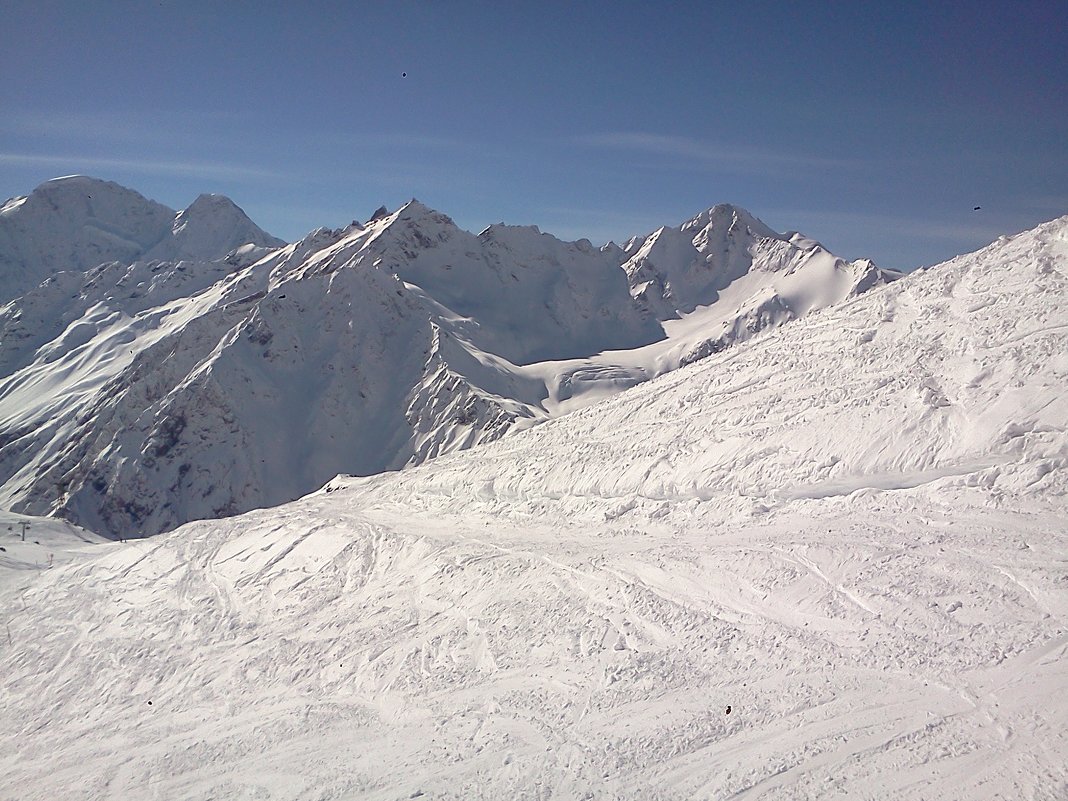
<point>853,531</point>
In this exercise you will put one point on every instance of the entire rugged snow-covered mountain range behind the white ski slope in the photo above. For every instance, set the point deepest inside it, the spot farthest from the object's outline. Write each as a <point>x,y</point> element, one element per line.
<point>136,396</point>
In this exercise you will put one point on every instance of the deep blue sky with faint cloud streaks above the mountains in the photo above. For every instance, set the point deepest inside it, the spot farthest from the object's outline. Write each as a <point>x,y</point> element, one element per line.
<point>874,128</point>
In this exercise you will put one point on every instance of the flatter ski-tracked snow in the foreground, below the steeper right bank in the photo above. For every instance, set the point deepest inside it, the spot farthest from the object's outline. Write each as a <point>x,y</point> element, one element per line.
<point>876,648</point>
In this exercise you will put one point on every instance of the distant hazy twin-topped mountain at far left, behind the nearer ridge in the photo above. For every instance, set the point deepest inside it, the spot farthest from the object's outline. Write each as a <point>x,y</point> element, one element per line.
<point>78,223</point>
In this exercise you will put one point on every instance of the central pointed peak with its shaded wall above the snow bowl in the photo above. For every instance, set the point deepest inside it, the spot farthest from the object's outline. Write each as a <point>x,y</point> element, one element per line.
<point>535,297</point>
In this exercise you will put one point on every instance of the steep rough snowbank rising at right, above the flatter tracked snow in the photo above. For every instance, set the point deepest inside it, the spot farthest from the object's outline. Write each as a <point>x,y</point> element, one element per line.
<point>954,369</point>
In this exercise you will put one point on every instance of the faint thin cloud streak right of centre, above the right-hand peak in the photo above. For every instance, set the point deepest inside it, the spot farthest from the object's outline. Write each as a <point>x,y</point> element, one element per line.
<point>708,154</point>
